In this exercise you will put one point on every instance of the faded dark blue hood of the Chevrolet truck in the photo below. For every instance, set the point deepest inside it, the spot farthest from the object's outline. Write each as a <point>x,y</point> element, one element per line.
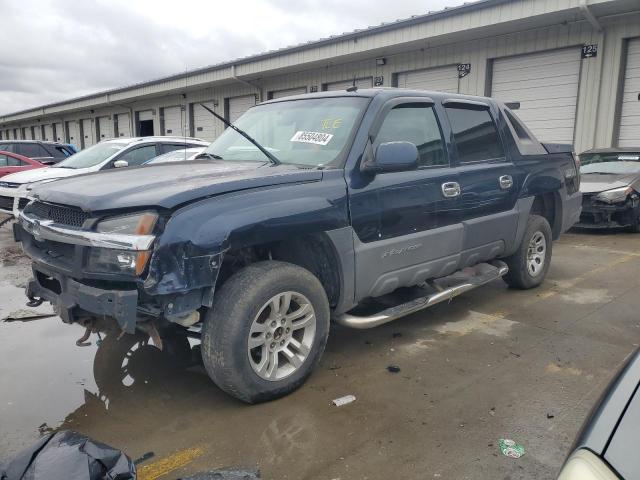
<point>167,185</point>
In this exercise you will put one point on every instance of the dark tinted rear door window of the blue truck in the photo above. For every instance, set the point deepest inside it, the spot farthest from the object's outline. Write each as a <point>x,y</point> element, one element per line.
<point>475,134</point>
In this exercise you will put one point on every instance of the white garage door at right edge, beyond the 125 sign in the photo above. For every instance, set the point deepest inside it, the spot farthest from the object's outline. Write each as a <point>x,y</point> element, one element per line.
<point>629,129</point>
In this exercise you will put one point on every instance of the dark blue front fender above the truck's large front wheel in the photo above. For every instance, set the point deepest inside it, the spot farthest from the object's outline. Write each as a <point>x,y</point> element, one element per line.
<point>189,252</point>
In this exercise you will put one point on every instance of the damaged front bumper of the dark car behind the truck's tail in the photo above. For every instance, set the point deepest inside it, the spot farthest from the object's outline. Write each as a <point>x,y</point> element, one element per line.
<point>598,214</point>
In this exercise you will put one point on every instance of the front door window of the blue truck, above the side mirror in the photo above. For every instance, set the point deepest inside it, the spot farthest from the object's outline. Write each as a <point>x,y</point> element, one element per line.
<point>415,123</point>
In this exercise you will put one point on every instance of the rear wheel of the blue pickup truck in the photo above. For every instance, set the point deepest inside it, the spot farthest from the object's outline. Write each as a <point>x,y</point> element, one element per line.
<point>528,266</point>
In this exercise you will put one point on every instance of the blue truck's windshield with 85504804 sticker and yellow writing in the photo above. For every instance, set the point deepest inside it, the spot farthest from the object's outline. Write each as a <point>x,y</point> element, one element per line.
<point>309,132</point>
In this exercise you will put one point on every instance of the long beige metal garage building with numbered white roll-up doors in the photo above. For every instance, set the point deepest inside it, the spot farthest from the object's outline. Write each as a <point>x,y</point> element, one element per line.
<point>573,66</point>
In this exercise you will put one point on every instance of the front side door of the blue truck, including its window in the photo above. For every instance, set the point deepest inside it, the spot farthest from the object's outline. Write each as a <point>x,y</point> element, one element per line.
<point>406,228</point>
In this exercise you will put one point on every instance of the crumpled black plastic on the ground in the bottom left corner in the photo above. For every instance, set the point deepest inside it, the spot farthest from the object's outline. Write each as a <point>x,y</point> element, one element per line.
<point>69,455</point>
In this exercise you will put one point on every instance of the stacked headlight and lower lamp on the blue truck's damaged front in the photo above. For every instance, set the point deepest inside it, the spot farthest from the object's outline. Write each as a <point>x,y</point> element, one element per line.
<point>116,261</point>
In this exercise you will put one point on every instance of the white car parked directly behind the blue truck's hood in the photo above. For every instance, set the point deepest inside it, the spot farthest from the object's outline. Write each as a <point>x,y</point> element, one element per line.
<point>116,153</point>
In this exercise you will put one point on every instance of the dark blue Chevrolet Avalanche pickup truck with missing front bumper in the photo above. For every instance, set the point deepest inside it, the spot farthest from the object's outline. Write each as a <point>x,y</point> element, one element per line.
<point>355,206</point>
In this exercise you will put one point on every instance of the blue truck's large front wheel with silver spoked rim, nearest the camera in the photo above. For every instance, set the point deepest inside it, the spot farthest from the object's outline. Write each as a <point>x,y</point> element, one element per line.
<point>266,331</point>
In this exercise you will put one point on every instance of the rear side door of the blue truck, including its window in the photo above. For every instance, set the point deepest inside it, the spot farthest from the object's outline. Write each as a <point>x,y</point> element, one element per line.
<point>487,179</point>
